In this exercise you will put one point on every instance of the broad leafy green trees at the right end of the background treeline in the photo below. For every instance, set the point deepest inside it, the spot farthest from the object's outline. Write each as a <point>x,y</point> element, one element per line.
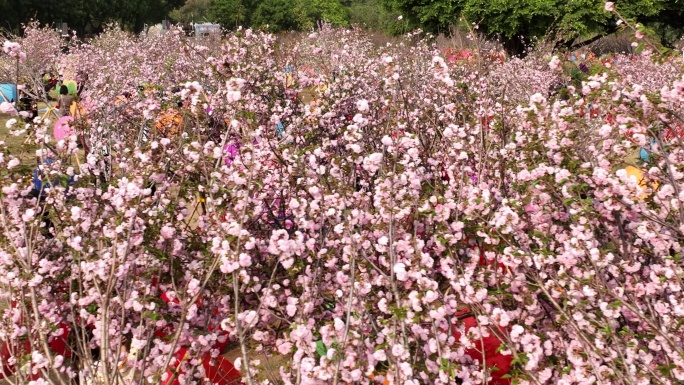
<point>517,22</point>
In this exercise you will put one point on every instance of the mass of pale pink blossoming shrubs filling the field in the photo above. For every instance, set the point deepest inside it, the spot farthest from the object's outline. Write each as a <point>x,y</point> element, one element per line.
<point>413,225</point>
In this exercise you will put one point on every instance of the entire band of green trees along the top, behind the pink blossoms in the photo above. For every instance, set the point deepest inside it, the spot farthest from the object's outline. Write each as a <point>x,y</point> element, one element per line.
<point>515,23</point>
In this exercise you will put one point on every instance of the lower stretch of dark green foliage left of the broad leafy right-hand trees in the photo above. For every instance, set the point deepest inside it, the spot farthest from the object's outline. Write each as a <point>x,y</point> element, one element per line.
<point>90,16</point>
